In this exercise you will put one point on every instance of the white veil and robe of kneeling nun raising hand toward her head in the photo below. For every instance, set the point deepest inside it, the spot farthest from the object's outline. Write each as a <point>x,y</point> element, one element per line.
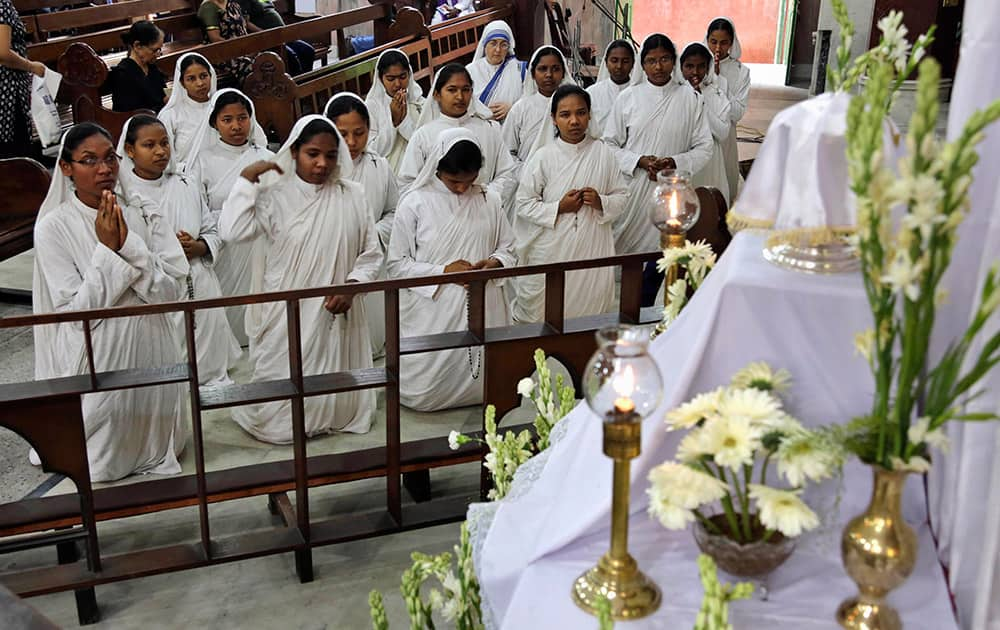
<point>310,236</point>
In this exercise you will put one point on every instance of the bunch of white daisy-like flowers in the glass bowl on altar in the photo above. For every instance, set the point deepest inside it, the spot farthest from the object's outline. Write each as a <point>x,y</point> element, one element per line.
<point>734,434</point>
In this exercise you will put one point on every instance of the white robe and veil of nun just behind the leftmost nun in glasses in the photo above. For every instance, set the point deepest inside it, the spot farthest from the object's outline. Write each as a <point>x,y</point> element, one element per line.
<point>181,203</point>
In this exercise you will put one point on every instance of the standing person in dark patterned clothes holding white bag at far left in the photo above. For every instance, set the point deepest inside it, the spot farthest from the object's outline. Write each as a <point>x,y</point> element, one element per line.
<point>15,84</point>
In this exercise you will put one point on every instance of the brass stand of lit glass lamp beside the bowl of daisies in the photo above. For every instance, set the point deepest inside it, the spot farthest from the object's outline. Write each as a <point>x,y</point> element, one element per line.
<point>616,576</point>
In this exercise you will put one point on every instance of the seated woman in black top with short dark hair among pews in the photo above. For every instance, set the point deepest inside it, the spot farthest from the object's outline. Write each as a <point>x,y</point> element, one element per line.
<point>136,82</point>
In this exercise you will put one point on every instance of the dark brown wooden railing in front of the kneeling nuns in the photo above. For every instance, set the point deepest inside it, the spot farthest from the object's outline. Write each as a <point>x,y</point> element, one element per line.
<point>39,409</point>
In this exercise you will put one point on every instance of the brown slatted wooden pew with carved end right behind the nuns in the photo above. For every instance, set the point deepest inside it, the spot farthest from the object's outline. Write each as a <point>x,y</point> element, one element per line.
<point>280,100</point>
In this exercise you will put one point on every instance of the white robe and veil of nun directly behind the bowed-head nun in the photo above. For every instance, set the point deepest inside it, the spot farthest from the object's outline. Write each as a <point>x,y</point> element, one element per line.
<point>499,172</point>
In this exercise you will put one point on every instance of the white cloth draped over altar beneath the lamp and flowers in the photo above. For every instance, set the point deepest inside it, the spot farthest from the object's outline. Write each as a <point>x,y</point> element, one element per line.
<point>554,523</point>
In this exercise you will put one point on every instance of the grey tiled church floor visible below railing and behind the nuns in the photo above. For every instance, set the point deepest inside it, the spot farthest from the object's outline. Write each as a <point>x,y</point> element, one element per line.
<point>264,593</point>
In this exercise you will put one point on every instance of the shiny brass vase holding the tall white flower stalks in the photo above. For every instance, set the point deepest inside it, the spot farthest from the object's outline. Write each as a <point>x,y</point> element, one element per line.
<point>879,551</point>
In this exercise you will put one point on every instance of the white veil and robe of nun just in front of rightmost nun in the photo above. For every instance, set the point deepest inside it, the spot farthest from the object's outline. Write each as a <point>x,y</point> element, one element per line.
<point>716,104</point>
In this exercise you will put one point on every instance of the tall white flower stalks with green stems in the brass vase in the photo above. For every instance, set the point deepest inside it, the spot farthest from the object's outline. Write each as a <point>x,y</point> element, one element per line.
<point>908,216</point>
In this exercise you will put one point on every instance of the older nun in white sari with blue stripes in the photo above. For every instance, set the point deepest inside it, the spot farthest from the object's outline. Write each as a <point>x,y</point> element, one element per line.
<point>497,74</point>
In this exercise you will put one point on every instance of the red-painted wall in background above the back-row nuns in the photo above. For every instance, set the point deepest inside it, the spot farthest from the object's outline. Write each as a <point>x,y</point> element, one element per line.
<point>685,21</point>
